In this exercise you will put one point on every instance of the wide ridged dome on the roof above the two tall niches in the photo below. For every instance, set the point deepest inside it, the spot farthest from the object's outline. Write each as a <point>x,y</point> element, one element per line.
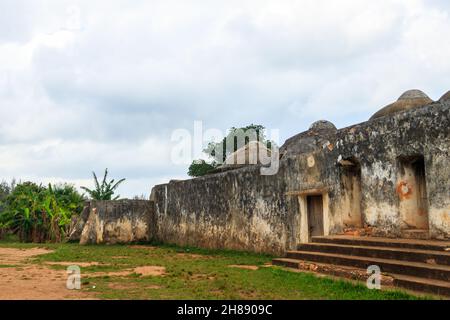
<point>411,99</point>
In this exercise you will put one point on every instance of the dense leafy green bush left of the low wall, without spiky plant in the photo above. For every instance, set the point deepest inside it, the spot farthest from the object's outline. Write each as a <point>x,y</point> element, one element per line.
<point>39,214</point>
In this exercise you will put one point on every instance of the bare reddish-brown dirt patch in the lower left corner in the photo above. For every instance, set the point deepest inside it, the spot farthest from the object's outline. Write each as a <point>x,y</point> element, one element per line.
<point>20,280</point>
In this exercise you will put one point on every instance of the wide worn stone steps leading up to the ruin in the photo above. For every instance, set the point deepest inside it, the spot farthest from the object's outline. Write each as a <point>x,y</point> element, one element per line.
<point>419,265</point>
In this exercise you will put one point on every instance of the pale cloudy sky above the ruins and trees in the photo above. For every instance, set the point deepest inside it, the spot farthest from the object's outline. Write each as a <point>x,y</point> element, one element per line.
<point>86,85</point>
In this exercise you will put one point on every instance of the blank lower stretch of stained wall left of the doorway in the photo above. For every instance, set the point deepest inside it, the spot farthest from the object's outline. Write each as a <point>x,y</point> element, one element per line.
<point>237,210</point>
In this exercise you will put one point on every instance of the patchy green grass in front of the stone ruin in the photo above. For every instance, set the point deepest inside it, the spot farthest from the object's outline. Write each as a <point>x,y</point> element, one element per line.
<point>206,275</point>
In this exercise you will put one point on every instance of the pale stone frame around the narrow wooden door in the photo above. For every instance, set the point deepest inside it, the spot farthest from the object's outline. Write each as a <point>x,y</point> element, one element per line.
<point>303,206</point>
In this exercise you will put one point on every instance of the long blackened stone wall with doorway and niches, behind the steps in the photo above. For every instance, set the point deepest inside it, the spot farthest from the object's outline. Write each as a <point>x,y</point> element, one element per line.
<point>242,209</point>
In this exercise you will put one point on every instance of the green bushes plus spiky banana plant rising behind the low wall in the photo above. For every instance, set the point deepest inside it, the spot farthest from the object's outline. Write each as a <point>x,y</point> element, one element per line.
<point>37,213</point>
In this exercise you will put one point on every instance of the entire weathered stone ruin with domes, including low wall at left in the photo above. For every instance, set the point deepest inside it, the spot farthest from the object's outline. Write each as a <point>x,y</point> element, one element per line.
<point>386,177</point>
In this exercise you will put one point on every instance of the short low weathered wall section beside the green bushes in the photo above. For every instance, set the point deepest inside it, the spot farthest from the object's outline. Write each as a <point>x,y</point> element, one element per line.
<point>113,222</point>
